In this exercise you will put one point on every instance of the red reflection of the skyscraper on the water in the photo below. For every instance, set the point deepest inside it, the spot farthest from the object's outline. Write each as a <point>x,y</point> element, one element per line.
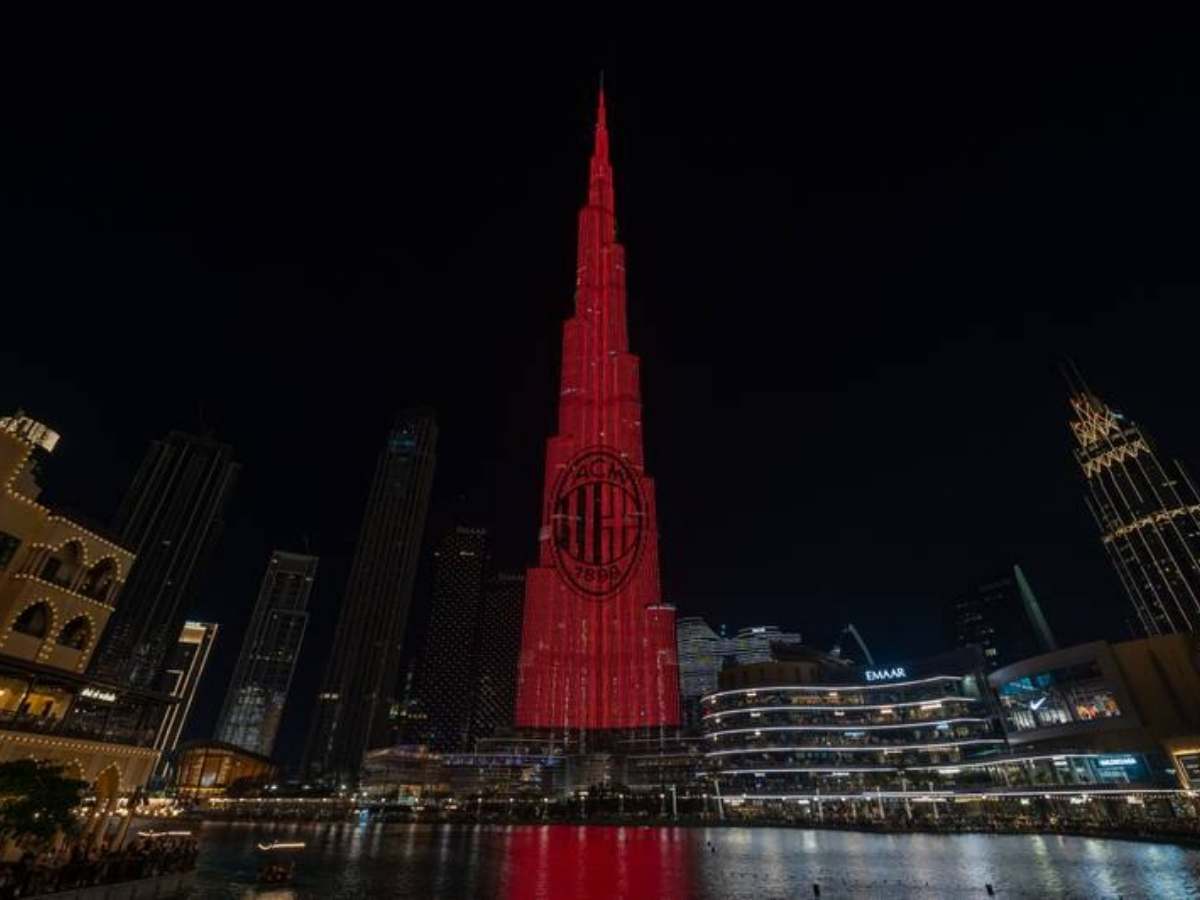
<point>571,863</point>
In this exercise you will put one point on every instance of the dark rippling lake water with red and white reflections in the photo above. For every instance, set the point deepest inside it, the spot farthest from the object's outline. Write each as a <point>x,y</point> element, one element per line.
<point>567,862</point>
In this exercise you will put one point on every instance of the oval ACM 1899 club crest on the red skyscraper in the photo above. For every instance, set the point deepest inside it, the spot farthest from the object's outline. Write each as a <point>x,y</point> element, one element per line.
<point>598,523</point>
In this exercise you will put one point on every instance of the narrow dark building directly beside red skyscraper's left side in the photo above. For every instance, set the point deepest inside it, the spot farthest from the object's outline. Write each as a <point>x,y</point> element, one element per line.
<point>500,649</point>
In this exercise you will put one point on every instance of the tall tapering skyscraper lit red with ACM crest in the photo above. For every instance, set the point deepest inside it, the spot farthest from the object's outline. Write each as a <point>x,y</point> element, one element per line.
<point>598,644</point>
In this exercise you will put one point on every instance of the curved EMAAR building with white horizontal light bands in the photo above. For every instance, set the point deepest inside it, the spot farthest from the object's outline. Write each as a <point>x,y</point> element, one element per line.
<point>809,725</point>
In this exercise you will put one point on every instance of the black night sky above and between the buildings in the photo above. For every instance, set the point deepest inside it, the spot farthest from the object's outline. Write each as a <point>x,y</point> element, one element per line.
<point>854,262</point>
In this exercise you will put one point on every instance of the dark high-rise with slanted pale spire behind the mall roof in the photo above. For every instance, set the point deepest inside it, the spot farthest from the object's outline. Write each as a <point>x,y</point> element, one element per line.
<point>1003,617</point>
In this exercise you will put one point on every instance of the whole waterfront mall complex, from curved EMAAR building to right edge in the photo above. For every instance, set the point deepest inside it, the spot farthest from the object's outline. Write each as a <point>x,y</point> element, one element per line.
<point>823,735</point>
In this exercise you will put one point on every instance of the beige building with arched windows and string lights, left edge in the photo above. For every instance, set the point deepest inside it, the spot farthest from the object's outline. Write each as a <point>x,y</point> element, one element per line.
<point>59,586</point>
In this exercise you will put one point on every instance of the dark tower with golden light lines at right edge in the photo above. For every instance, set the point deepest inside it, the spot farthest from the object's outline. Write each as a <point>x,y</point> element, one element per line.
<point>1149,514</point>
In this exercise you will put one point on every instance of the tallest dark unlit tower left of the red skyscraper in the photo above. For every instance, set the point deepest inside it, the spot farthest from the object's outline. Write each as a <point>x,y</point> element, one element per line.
<point>363,675</point>
